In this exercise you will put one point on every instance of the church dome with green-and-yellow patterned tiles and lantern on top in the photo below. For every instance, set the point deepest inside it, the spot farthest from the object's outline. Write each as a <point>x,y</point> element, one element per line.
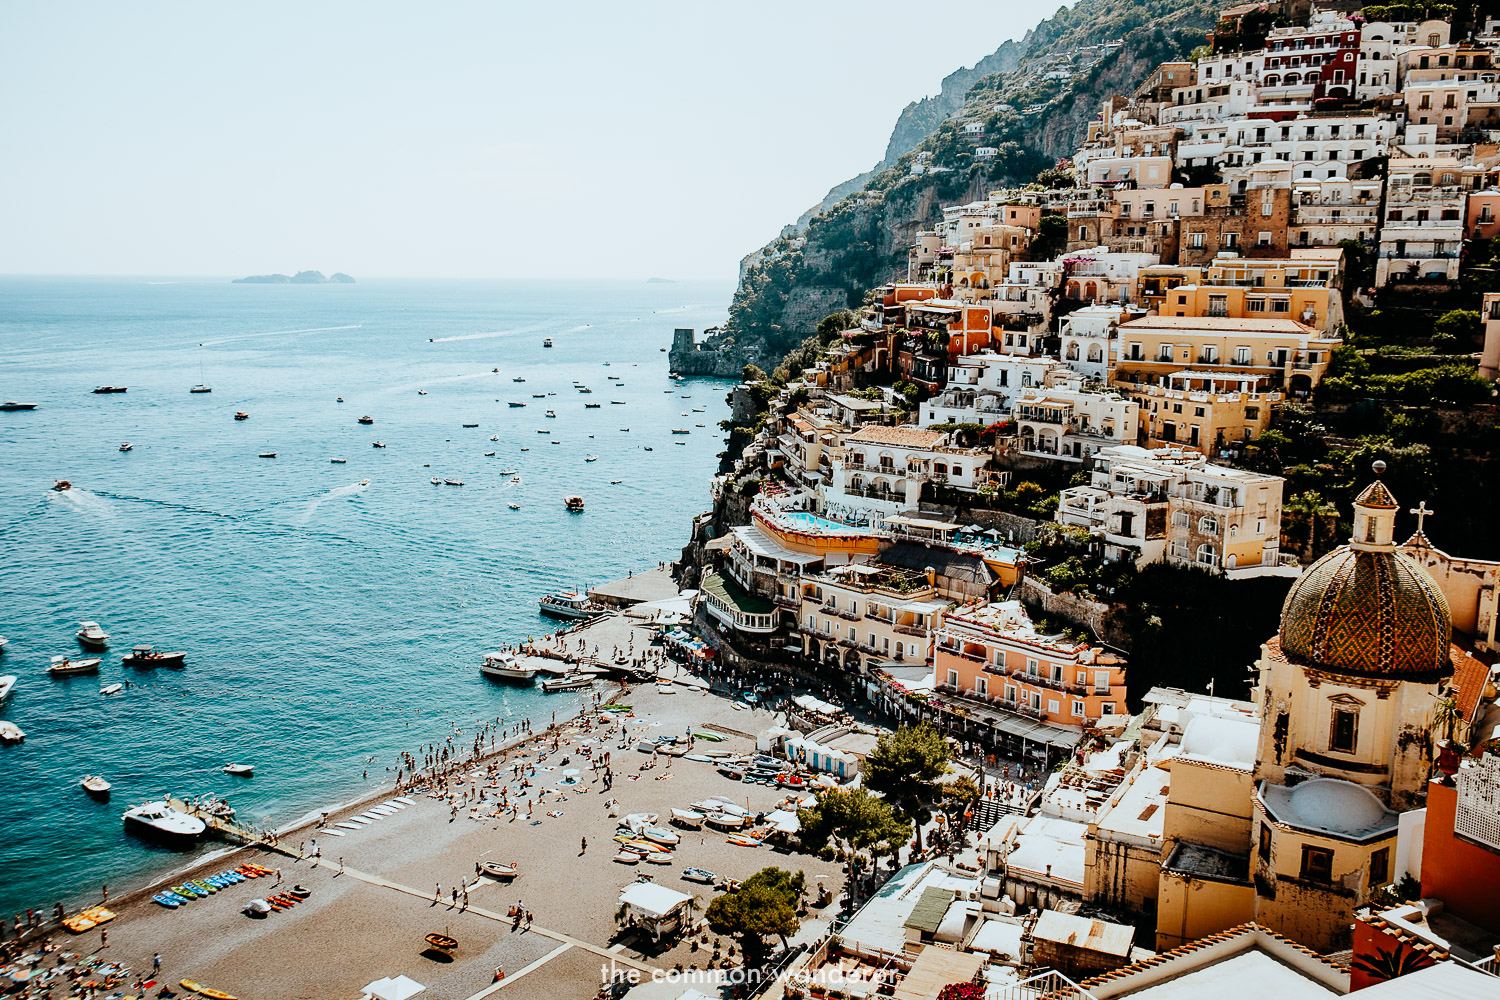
<point>1366,609</point>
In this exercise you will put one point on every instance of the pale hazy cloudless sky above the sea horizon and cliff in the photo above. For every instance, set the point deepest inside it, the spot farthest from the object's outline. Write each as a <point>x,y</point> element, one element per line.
<point>506,140</point>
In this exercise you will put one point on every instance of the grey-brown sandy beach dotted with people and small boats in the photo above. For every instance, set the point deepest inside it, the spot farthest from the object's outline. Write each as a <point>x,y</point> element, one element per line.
<point>370,921</point>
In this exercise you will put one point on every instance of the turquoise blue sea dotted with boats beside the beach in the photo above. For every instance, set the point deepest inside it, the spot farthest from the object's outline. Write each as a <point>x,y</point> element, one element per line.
<point>334,614</point>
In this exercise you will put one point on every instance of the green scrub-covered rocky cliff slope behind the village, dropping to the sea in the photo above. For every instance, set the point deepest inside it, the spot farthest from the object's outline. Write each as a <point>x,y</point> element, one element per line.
<point>1034,113</point>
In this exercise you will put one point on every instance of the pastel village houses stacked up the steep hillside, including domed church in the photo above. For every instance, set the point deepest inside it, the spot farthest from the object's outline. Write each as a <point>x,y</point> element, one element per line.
<point>1199,286</point>
